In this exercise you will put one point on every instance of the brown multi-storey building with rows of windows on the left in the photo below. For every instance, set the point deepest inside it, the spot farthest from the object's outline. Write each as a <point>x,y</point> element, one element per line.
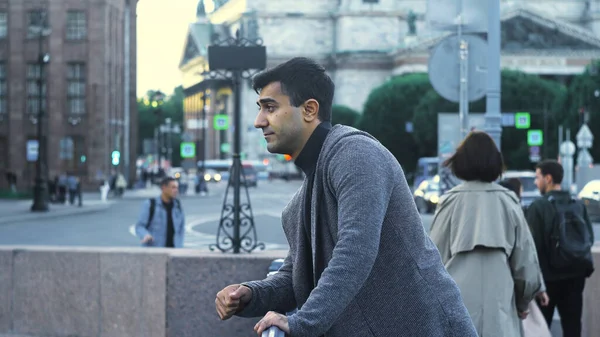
<point>88,86</point>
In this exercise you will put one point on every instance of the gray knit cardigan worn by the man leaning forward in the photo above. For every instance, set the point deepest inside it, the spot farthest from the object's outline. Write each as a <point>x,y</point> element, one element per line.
<point>383,275</point>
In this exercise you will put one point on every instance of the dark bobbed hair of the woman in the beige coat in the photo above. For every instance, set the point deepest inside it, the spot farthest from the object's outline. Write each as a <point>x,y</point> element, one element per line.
<point>477,158</point>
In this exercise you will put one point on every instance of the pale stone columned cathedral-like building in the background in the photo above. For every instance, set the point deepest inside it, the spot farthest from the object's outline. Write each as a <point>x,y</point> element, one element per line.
<point>363,43</point>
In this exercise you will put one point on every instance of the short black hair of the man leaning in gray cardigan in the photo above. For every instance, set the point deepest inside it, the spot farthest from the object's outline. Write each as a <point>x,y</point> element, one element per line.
<point>301,79</point>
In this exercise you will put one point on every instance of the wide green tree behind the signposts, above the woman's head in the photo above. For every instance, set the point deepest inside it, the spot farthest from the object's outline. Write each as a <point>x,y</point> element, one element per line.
<point>543,99</point>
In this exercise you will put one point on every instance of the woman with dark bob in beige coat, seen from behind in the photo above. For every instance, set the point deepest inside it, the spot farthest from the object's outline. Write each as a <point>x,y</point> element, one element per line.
<point>484,241</point>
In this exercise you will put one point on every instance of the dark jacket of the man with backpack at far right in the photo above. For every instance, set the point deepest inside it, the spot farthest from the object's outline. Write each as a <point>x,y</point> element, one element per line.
<point>541,216</point>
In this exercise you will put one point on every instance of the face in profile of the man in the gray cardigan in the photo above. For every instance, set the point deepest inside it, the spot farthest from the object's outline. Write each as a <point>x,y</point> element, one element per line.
<point>282,124</point>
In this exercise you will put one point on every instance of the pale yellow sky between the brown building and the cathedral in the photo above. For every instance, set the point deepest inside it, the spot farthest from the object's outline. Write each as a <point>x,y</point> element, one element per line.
<point>161,32</point>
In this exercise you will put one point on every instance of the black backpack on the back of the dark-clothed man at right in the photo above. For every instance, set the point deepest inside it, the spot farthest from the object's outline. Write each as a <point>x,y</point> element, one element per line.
<point>570,238</point>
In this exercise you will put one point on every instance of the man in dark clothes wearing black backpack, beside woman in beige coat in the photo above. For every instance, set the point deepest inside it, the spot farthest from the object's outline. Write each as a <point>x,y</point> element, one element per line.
<point>563,235</point>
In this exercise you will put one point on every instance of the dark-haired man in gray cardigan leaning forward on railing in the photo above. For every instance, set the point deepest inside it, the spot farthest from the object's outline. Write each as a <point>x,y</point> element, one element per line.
<point>359,263</point>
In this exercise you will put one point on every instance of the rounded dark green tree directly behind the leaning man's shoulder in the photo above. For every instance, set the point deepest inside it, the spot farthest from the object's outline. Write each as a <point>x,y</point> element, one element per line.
<point>387,110</point>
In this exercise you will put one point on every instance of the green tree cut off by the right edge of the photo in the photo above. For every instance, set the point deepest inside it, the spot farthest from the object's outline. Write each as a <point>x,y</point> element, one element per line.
<point>584,98</point>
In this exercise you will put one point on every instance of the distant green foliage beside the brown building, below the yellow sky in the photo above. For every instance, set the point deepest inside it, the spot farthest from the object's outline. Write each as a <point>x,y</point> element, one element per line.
<point>149,118</point>
